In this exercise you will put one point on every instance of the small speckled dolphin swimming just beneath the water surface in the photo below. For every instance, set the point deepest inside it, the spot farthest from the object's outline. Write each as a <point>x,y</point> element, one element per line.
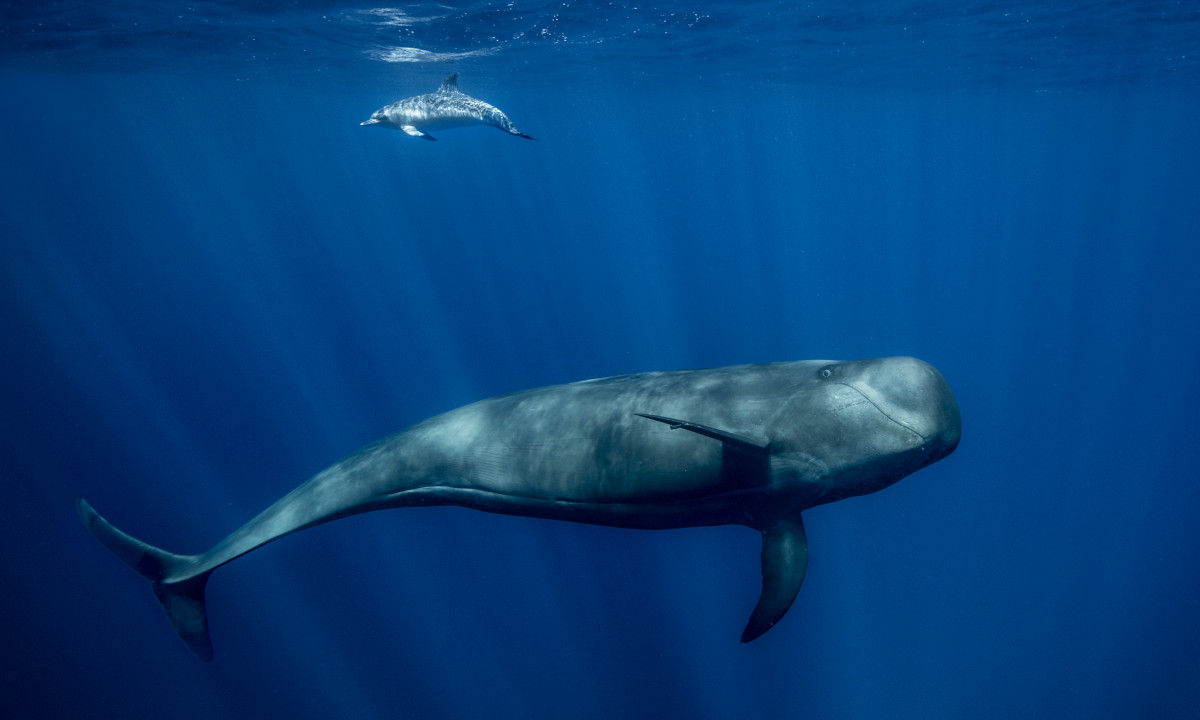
<point>446,109</point>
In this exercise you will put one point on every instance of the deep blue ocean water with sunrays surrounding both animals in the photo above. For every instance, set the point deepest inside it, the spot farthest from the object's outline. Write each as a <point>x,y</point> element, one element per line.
<point>214,284</point>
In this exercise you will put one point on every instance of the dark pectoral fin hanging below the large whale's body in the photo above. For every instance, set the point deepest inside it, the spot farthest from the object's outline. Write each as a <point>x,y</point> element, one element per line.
<point>785,559</point>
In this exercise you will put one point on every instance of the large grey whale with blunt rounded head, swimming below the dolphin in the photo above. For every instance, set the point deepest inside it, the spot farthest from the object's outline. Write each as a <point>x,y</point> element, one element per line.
<point>752,446</point>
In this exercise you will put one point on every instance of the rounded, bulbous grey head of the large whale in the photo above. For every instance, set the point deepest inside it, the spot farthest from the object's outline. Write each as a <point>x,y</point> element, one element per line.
<point>865,427</point>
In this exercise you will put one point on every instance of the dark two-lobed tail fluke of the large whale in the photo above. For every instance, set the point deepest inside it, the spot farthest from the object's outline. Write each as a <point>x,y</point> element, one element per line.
<point>181,592</point>
